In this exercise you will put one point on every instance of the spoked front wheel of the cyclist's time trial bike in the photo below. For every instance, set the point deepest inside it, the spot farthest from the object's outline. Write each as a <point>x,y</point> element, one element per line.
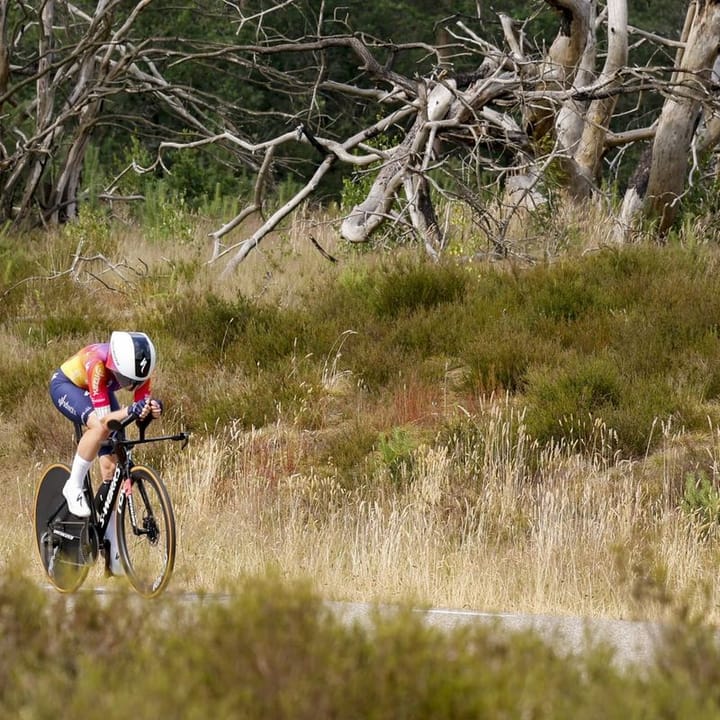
<point>148,556</point>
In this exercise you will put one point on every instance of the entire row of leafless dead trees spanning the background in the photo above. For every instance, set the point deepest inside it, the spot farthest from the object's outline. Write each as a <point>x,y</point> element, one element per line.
<point>511,115</point>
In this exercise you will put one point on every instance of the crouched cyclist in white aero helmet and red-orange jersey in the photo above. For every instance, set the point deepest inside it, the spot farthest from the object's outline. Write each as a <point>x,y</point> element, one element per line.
<point>83,390</point>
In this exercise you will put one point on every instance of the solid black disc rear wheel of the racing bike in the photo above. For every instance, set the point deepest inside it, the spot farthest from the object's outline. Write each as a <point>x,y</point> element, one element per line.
<point>65,560</point>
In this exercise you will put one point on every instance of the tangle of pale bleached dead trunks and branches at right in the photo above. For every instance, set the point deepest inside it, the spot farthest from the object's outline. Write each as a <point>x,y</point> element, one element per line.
<point>523,101</point>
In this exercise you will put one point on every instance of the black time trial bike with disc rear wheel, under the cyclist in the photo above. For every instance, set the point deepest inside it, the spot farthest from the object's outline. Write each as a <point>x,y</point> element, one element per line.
<point>137,507</point>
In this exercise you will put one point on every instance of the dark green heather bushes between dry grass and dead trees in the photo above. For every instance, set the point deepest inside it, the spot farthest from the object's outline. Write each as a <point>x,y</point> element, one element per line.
<point>621,341</point>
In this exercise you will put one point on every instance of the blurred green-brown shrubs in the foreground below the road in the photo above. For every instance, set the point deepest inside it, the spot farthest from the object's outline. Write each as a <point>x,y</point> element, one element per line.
<point>275,650</point>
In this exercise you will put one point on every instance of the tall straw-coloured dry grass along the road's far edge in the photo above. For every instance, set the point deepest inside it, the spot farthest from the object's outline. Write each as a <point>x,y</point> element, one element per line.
<point>469,531</point>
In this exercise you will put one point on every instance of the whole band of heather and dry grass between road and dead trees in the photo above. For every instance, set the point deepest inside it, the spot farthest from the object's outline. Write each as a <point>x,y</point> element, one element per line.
<point>467,418</point>
